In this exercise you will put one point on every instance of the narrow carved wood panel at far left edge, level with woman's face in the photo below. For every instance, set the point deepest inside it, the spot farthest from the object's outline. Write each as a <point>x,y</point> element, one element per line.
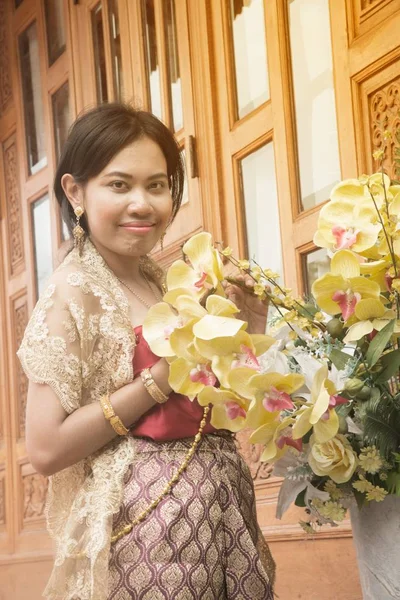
<point>13,204</point>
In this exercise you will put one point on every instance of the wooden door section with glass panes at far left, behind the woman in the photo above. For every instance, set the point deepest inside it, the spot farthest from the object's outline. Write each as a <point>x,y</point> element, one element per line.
<point>35,107</point>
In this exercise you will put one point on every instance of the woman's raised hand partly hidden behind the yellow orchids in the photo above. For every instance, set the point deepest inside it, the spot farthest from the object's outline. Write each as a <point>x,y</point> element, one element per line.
<point>252,308</point>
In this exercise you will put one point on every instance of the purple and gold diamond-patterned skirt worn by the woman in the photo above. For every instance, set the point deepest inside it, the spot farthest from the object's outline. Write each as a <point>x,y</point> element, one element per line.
<point>202,541</point>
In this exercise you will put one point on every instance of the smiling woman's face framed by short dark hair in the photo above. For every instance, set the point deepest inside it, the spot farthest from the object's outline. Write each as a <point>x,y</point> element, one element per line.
<point>129,204</point>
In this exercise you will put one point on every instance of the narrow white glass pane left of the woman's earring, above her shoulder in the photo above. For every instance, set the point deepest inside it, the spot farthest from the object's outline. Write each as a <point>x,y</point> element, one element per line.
<point>42,241</point>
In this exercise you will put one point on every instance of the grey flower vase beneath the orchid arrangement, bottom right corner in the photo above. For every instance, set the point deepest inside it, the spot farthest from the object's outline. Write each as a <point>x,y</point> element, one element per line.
<point>376,534</point>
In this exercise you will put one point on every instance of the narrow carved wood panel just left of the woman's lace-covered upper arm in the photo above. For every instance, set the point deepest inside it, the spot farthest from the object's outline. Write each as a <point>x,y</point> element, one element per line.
<point>20,321</point>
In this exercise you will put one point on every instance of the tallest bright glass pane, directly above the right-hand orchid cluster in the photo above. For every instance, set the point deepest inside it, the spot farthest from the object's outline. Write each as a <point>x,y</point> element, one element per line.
<point>314,96</point>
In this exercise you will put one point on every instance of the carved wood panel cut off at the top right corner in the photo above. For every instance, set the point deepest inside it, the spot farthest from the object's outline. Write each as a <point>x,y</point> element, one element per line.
<point>365,15</point>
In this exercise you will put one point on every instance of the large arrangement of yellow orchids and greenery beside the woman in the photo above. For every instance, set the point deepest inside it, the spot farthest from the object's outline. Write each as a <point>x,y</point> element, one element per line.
<point>321,392</point>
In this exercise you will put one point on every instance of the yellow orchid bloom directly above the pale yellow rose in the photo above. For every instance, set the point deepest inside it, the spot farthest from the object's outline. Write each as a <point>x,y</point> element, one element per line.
<point>319,413</point>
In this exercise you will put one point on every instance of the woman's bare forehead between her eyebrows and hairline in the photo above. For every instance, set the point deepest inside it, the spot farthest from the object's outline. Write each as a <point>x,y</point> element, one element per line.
<point>141,157</point>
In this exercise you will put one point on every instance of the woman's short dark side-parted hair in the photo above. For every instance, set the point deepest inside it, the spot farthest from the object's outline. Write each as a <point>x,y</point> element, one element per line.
<point>98,135</point>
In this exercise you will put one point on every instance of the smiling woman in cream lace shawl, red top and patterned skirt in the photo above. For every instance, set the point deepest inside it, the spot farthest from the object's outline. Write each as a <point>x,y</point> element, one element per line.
<point>102,421</point>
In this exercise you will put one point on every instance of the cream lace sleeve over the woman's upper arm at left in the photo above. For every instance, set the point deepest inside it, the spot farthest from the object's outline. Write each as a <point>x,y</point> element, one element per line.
<point>51,350</point>
